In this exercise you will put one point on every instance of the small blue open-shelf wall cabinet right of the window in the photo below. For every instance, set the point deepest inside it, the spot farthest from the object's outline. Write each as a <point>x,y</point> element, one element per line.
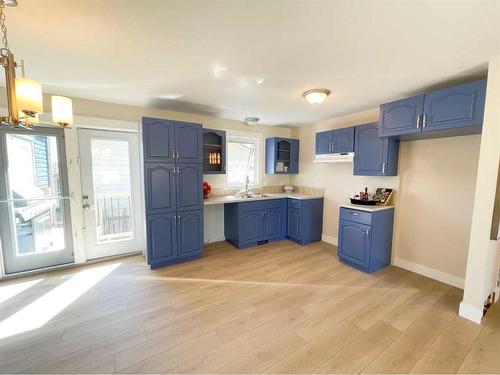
<point>282,156</point>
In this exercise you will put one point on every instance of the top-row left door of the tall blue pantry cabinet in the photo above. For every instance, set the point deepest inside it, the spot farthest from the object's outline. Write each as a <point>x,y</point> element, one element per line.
<point>158,140</point>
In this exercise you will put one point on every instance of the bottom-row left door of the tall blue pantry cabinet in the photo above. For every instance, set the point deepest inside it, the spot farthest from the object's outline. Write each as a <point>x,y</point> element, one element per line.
<point>162,238</point>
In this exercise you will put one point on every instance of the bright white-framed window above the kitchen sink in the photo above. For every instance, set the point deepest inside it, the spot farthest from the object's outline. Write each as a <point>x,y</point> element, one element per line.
<point>242,161</point>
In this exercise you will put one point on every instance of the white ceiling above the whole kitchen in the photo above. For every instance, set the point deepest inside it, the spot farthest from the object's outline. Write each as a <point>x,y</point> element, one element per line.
<point>238,58</point>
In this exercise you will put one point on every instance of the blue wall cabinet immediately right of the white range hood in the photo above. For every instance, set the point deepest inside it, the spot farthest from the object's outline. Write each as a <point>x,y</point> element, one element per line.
<point>374,155</point>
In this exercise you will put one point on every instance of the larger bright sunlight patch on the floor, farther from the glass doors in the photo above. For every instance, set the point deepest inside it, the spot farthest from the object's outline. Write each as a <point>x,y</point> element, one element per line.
<point>40,311</point>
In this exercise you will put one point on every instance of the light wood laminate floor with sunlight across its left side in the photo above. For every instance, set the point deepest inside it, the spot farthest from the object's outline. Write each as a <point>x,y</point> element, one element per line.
<point>276,308</point>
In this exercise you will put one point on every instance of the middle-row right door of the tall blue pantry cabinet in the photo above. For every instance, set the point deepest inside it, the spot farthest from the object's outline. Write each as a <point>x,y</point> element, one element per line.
<point>189,187</point>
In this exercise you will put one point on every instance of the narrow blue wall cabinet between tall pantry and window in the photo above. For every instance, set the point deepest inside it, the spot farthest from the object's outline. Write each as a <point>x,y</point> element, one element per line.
<point>214,151</point>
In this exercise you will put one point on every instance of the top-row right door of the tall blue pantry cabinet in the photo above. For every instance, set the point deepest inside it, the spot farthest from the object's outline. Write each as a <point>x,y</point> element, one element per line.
<point>189,142</point>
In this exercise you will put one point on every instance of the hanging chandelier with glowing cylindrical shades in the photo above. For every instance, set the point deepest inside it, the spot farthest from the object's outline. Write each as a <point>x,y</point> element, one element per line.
<point>24,96</point>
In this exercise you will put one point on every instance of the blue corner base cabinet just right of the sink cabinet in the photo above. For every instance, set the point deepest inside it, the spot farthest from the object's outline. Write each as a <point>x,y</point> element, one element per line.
<point>305,220</point>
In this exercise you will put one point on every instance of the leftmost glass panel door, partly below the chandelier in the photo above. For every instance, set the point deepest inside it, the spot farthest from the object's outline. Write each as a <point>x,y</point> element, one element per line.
<point>34,205</point>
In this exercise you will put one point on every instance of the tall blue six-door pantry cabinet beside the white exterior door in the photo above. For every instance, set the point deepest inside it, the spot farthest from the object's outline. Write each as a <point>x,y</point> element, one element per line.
<point>173,180</point>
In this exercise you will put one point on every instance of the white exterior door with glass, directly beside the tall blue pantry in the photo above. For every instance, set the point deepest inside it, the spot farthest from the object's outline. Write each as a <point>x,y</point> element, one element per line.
<point>109,164</point>
